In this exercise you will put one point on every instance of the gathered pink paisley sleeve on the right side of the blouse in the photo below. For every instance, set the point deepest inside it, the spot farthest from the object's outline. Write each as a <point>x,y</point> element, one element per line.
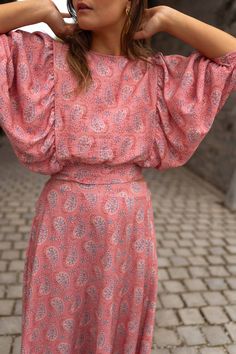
<point>190,91</point>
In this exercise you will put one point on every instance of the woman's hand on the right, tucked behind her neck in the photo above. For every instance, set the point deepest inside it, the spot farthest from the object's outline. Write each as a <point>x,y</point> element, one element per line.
<point>153,21</point>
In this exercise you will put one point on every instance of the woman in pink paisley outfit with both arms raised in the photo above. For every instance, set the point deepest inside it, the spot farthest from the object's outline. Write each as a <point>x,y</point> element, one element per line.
<point>90,278</point>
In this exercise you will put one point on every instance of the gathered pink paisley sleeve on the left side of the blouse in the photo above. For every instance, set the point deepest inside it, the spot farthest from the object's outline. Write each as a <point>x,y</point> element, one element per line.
<point>27,113</point>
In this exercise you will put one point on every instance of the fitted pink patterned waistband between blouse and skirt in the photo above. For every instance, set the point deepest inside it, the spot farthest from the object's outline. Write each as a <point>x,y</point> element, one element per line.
<point>100,174</point>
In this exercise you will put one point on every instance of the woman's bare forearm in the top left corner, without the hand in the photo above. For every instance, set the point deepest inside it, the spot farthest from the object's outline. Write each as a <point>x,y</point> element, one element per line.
<point>20,13</point>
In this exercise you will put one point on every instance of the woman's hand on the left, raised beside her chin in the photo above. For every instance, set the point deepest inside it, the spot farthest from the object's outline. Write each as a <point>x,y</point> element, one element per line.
<point>54,19</point>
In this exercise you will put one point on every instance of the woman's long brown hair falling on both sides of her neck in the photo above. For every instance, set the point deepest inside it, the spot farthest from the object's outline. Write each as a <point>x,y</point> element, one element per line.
<point>80,42</point>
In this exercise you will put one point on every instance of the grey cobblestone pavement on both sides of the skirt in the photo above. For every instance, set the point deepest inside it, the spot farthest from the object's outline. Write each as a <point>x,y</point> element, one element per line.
<point>196,247</point>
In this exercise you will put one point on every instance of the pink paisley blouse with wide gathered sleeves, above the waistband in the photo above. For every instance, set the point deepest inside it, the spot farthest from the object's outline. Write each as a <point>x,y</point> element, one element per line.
<point>147,115</point>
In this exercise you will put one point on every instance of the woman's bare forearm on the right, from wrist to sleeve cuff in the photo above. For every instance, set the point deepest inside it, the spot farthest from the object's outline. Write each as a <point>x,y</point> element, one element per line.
<point>209,40</point>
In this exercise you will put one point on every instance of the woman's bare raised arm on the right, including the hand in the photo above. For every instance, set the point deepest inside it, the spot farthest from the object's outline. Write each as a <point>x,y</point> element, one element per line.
<point>209,40</point>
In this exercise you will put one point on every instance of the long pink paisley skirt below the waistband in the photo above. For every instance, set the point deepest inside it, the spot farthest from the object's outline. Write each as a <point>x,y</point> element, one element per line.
<point>90,276</point>
